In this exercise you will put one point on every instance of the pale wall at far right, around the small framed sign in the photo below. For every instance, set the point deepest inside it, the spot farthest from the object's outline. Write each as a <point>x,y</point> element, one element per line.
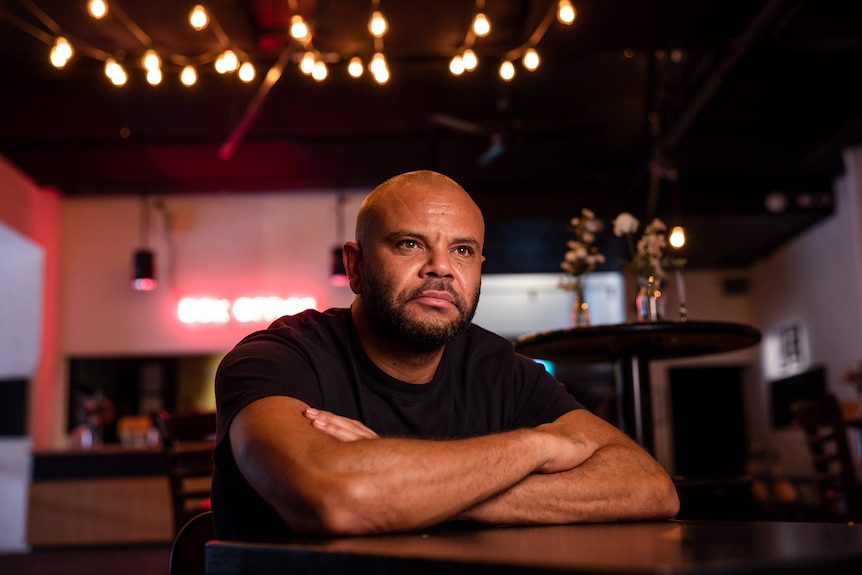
<point>812,283</point>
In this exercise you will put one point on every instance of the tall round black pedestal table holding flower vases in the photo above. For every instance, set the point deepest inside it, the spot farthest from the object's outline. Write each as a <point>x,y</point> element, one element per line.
<point>632,346</point>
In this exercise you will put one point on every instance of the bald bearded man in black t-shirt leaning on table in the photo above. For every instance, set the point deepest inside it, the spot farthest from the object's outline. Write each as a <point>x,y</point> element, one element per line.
<point>398,413</point>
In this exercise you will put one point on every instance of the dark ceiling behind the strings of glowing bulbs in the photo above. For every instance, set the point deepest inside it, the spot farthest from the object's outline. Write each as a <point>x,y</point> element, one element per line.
<point>727,115</point>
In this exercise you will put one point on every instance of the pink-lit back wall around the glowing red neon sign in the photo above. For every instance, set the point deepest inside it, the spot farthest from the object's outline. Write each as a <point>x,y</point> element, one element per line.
<point>213,246</point>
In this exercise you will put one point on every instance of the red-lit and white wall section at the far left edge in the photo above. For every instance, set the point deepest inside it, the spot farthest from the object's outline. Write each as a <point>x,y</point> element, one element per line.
<point>28,255</point>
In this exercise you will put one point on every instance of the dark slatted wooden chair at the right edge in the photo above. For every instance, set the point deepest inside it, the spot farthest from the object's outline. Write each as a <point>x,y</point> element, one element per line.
<point>835,475</point>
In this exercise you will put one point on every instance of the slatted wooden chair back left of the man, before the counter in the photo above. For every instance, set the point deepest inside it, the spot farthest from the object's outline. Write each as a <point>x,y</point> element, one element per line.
<point>188,441</point>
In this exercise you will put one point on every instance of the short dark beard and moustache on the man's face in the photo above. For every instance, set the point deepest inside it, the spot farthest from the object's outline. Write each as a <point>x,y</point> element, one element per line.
<point>389,315</point>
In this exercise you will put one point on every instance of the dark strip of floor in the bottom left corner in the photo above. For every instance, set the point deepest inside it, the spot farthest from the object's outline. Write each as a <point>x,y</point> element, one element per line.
<point>113,560</point>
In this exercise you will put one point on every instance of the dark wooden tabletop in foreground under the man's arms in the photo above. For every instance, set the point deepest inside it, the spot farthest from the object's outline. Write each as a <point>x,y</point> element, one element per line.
<point>626,548</point>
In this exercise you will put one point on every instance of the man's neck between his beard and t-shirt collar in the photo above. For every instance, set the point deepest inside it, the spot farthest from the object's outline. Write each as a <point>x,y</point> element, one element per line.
<point>393,358</point>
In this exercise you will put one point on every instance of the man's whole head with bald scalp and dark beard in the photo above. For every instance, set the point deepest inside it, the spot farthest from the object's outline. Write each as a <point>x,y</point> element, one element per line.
<point>416,262</point>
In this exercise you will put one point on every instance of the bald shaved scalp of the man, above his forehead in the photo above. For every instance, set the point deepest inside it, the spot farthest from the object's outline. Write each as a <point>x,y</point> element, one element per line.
<point>417,188</point>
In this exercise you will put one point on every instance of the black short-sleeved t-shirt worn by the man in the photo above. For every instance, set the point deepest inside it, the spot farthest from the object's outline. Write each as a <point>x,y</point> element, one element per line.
<point>481,386</point>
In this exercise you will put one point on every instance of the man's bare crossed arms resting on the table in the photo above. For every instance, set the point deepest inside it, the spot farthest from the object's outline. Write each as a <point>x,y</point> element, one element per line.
<point>326,474</point>
